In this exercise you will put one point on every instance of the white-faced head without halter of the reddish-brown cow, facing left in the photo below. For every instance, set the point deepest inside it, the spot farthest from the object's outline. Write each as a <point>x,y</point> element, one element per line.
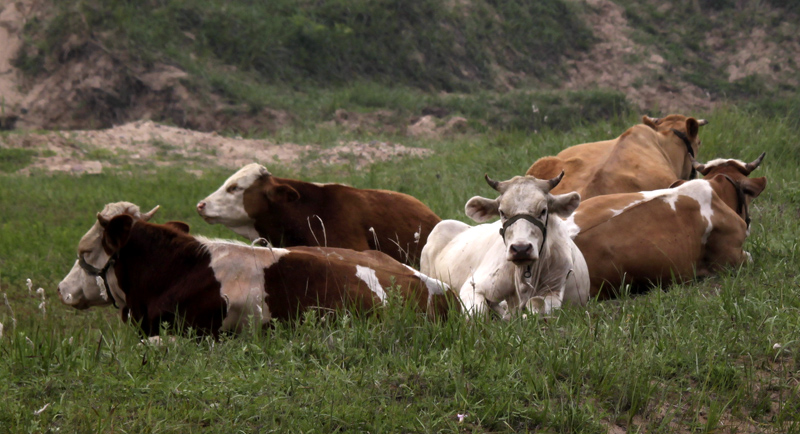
<point>246,194</point>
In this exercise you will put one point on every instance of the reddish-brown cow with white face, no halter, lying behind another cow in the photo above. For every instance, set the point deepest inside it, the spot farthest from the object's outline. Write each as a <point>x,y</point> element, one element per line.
<point>287,212</point>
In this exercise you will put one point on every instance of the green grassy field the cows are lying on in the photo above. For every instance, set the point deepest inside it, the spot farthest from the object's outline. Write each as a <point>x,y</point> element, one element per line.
<point>714,356</point>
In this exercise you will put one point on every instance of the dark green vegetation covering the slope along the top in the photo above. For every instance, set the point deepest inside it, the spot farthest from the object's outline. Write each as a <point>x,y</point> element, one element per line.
<point>422,43</point>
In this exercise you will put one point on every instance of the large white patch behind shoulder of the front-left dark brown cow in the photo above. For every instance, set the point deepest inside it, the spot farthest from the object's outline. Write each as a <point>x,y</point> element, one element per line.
<point>240,270</point>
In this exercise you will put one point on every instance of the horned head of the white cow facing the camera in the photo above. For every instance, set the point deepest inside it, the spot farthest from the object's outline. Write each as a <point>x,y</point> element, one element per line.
<point>524,207</point>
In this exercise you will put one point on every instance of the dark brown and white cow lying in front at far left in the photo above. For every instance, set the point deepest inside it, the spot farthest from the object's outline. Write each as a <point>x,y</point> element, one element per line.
<point>160,273</point>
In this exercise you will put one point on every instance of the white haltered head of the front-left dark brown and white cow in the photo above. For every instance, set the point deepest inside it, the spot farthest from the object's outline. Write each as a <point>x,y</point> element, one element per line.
<point>80,288</point>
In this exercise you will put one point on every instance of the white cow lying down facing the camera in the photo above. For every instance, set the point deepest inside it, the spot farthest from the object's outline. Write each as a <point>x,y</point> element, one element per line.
<point>526,259</point>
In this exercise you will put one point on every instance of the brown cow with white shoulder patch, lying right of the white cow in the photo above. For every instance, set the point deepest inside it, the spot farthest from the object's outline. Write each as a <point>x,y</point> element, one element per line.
<point>671,235</point>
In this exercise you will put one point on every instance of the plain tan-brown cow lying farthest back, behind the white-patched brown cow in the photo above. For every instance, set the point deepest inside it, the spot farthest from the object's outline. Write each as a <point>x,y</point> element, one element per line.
<point>648,156</point>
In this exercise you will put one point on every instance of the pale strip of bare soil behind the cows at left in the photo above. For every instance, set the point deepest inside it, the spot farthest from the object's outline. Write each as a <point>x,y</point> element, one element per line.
<point>147,142</point>
